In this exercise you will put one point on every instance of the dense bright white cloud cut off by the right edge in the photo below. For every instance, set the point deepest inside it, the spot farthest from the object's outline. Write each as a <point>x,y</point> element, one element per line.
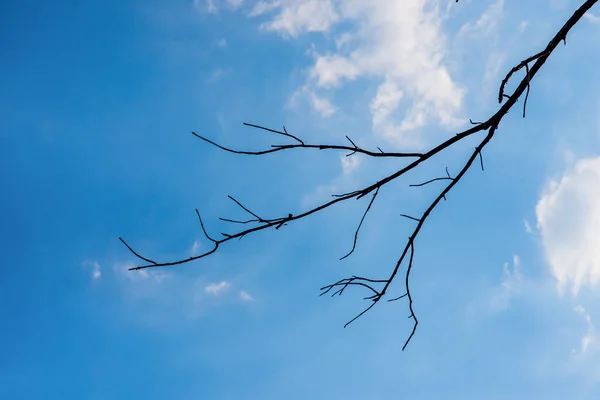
<point>568,219</point>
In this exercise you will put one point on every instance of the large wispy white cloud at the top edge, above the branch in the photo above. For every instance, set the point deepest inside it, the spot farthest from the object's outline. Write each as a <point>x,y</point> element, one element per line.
<point>398,43</point>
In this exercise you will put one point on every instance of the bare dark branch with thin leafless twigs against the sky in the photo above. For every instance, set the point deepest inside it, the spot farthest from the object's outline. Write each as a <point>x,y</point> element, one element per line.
<point>377,288</point>
